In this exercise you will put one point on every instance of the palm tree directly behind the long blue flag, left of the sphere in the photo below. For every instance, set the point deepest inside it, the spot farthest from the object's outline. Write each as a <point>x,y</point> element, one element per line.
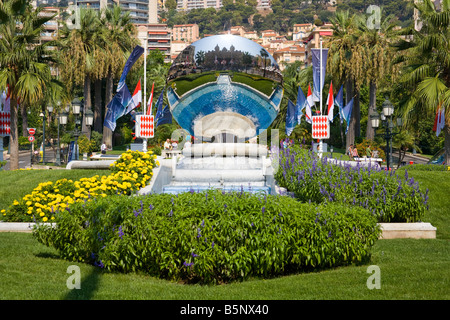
<point>118,38</point>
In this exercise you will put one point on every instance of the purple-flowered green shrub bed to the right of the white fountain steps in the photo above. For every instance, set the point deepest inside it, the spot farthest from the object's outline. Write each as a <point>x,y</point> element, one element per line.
<point>393,198</point>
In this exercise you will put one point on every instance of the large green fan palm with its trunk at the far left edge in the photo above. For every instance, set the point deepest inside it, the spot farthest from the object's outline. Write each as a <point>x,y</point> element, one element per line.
<point>23,61</point>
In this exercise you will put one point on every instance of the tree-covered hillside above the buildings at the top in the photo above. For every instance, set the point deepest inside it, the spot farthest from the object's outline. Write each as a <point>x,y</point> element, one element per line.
<point>284,14</point>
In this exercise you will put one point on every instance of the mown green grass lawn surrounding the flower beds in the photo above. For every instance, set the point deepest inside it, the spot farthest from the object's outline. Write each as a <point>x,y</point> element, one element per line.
<point>410,269</point>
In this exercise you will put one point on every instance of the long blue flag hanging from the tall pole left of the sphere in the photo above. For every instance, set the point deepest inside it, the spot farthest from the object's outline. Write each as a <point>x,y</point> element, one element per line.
<point>117,106</point>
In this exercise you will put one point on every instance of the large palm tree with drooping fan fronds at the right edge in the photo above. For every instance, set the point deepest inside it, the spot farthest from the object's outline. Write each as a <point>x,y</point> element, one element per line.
<point>425,64</point>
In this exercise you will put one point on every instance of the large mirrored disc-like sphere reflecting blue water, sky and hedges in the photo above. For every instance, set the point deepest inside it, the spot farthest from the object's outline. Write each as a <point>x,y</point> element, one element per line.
<point>224,88</point>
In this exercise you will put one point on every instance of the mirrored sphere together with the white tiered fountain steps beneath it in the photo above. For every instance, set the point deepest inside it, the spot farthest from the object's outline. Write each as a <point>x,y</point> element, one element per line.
<point>225,91</point>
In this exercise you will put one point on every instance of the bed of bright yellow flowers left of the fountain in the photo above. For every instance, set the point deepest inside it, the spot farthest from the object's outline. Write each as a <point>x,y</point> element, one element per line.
<point>132,171</point>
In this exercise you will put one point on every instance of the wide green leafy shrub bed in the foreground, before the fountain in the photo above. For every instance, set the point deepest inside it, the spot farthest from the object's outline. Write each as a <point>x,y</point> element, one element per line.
<point>211,237</point>
